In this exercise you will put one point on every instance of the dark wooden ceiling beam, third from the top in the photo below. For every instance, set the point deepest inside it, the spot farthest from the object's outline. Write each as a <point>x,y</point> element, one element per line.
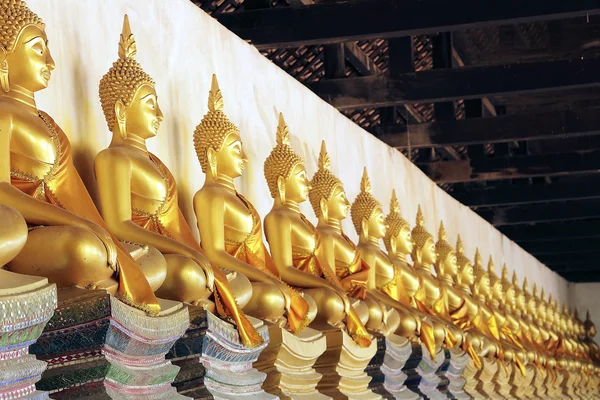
<point>506,128</point>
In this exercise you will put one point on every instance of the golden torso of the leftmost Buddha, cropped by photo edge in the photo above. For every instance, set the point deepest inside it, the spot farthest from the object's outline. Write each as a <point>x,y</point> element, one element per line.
<point>34,147</point>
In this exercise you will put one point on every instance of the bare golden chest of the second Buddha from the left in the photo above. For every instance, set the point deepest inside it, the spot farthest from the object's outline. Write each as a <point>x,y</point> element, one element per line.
<point>147,179</point>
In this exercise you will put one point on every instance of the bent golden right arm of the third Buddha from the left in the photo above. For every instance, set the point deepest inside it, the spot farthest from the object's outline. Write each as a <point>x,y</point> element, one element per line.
<point>209,208</point>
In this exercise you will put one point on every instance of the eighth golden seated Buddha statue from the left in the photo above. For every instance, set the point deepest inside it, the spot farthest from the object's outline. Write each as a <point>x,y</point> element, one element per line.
<point>431,297</point>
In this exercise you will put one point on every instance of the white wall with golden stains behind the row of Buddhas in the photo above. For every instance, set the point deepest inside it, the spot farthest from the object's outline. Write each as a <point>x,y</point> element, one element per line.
<point>181,46</point>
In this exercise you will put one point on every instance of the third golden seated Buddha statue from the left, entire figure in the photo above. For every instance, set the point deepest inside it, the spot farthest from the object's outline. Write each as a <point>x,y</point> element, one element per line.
<point>230,227</point>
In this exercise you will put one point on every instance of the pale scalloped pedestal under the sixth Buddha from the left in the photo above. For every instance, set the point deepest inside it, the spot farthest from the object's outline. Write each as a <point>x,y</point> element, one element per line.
<point>397,353</point>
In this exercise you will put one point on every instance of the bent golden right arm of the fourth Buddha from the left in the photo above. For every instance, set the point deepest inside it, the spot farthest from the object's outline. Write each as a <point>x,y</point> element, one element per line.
<point>278,232</point>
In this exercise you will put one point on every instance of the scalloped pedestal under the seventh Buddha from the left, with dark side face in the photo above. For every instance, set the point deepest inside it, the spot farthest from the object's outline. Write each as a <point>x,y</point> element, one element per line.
<point>421,371</point>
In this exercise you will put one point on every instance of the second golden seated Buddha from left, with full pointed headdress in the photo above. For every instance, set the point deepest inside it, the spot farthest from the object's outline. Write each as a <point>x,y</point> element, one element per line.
<point>138,194</point>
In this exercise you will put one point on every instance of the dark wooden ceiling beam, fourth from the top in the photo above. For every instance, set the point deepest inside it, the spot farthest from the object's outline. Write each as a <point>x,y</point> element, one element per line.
<point>512,167</point>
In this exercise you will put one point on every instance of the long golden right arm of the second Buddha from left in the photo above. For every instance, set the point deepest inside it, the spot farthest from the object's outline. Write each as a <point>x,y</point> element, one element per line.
<point>113,174</point>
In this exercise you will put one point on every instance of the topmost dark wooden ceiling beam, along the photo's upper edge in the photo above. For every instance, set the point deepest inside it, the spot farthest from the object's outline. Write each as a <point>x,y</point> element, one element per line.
<point>350,20</point>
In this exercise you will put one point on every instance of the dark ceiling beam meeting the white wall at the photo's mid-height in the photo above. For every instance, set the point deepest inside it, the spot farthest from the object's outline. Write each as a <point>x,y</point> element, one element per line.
<point>537,213</point>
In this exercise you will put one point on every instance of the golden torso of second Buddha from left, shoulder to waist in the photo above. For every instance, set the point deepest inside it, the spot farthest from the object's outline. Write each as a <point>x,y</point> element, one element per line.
<point>148,183</point>
